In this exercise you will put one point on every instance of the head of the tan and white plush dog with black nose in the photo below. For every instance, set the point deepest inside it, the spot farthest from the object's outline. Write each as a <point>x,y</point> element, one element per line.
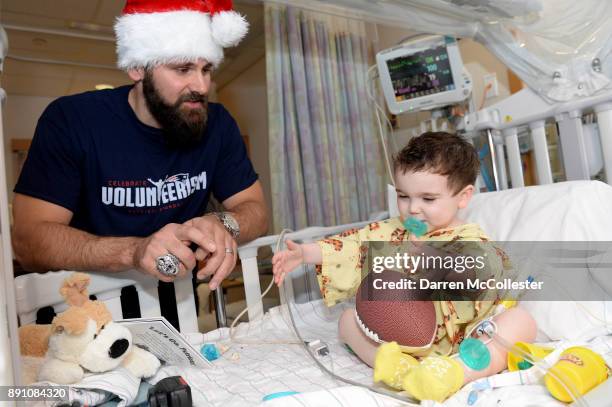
<point>83,338</point>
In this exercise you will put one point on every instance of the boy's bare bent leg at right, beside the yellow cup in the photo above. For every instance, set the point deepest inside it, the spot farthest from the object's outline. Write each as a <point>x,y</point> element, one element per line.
<point>513,325</point>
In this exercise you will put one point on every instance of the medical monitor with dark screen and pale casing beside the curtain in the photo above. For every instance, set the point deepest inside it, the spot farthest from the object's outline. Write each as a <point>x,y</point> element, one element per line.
<point>422,74</point>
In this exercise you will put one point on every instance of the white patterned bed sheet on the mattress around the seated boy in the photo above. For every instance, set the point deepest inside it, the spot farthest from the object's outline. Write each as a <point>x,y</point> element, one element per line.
<point>263,369</point>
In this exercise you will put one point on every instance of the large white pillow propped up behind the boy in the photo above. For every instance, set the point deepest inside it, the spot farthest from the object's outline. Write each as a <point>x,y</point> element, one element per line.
<point>566,211</point>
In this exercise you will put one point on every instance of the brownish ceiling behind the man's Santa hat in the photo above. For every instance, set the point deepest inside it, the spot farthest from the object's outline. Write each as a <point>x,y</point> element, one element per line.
<point>75,40</point>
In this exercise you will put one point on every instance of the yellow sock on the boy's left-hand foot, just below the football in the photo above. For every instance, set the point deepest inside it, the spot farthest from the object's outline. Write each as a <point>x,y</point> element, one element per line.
<point>391,365</point>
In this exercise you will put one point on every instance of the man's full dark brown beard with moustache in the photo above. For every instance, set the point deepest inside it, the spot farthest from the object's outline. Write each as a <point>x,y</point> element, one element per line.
<point>182,128</point>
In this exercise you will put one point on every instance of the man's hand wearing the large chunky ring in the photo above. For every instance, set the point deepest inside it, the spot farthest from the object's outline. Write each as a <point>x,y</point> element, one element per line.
<point>175,239</point>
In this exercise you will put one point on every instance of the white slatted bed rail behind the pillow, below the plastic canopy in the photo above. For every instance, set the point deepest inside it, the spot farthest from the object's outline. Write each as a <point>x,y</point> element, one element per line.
<point>581,143</point>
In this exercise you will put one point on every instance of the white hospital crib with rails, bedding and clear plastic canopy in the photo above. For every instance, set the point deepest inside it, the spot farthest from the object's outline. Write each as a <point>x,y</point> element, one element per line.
<point>265,356</point>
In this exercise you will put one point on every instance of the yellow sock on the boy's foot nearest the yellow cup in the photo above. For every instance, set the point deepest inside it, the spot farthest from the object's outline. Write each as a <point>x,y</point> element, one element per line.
<point>435,378</point>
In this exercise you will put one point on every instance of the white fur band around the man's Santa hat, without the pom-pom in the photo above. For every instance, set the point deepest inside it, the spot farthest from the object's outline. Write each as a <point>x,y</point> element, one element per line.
<point>149,39</point>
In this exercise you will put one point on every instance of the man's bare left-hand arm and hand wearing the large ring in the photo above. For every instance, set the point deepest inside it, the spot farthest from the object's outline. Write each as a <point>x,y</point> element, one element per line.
<point>43,240</point>
